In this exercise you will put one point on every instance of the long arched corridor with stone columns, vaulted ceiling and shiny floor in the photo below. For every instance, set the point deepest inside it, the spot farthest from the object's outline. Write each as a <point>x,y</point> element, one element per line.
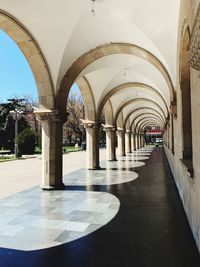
<point>136,64</point>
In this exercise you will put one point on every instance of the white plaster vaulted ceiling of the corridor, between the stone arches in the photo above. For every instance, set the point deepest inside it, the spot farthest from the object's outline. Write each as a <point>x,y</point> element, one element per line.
<point>66,29</point>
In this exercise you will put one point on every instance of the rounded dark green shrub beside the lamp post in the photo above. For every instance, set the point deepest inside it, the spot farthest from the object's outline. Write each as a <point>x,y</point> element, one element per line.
<point>26,142</point>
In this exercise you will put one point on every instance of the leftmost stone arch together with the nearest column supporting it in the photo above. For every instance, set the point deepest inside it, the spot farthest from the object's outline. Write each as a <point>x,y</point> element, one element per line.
<point>51,153</point>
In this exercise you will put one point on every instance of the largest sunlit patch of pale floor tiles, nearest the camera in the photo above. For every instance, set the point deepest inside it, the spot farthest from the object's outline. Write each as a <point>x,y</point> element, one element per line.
<point>33,219</point>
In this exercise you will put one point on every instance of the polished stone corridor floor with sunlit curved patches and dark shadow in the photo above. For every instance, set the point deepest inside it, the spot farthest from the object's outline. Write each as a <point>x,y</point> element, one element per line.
<point>139,222</point>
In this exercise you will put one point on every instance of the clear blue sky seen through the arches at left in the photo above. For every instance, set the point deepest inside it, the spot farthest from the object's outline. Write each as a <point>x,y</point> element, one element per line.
<point>16,78</point>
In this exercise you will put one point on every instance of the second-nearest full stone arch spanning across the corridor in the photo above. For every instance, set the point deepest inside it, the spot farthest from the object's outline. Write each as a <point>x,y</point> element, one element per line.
<point>126,85</point>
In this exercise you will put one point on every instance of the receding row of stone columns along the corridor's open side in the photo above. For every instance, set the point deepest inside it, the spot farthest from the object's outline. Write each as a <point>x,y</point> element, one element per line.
<point>52,146</point>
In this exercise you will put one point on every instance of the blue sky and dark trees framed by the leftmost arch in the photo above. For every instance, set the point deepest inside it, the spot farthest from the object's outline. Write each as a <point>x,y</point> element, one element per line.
<point>18,94</point>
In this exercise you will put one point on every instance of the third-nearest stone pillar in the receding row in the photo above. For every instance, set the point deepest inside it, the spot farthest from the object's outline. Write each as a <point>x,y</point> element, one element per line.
<point>110,142</point>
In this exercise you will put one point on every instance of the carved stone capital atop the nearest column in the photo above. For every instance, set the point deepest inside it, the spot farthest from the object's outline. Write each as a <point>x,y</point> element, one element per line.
<point>47,115</point>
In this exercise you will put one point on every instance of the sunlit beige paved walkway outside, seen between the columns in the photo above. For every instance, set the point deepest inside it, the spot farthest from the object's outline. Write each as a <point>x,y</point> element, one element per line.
<point>19,175</point>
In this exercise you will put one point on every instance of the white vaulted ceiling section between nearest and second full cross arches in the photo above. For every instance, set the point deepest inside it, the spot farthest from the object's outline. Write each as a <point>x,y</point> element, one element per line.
<point>115,70</point>
